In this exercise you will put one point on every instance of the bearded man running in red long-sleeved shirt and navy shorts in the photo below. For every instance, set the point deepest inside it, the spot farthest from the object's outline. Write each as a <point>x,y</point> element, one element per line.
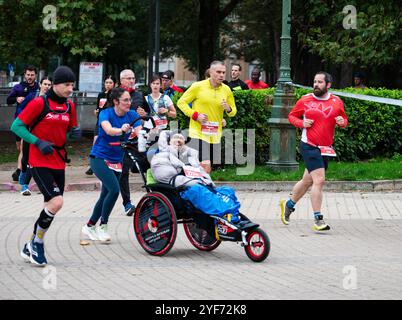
<point>317,114</point>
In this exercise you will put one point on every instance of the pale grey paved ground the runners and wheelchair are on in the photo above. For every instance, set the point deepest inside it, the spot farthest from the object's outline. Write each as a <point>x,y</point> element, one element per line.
<point>360,258</point>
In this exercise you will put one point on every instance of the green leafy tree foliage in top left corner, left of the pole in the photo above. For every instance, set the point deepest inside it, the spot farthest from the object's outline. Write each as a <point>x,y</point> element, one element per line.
<point>84,30</point>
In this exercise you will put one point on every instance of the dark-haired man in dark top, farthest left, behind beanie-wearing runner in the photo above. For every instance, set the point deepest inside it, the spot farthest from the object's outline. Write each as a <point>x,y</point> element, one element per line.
<point>17,96</point>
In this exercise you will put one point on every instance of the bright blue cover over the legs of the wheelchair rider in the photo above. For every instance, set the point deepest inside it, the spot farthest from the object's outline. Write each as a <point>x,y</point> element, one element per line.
<point>213,201</point>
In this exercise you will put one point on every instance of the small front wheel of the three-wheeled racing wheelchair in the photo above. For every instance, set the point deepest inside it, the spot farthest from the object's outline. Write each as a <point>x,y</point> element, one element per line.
<point>258,245</point>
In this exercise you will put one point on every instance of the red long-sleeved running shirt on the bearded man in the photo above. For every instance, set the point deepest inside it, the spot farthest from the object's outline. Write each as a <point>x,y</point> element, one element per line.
<point>323,112</point>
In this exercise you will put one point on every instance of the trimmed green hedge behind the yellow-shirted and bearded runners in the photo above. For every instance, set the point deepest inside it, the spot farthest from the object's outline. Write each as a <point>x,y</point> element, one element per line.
<point>374,129</point>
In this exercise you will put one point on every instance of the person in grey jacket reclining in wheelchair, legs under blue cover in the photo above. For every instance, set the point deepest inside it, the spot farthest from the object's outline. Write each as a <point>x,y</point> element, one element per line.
<point>178,165</point>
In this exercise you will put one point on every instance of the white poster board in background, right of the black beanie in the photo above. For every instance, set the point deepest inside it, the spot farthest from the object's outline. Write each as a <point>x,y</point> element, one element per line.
<point>91,74</point>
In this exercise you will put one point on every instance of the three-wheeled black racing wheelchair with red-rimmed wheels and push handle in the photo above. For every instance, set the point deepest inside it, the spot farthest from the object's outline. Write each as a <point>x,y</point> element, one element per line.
<point>161,210</point>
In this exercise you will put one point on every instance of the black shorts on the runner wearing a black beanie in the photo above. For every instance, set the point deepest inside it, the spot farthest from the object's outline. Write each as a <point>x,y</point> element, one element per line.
<point>49,181</point>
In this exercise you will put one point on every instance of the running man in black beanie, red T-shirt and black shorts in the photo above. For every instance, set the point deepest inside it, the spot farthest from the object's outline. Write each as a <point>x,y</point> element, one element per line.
<point>47,154</point>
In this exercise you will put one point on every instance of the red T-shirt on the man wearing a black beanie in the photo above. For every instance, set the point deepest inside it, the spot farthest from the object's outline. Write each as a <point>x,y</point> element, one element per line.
<point>53,128</point>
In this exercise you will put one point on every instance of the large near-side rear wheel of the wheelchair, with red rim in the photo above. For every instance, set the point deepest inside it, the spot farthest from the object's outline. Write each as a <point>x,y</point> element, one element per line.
<point>155,224</point>
